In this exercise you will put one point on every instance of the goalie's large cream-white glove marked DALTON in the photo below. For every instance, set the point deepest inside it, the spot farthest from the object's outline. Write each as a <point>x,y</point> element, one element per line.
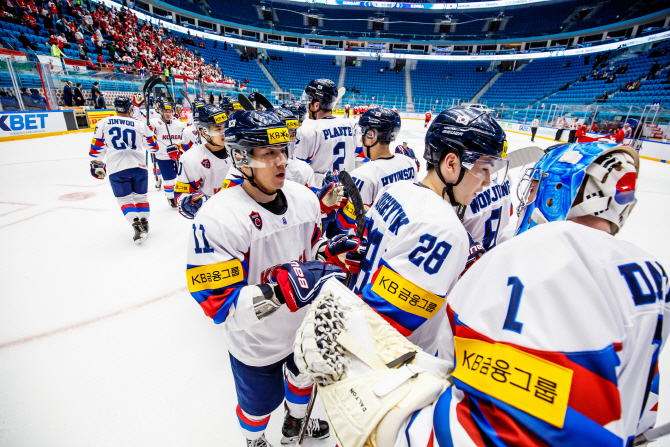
<point>370,378</point>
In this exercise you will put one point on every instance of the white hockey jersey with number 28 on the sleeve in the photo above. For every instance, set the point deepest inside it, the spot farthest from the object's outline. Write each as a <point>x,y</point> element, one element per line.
<point>417,248</point>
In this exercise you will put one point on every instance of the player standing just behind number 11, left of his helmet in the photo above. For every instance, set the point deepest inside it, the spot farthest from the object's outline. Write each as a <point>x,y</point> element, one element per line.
<point>203,169</point>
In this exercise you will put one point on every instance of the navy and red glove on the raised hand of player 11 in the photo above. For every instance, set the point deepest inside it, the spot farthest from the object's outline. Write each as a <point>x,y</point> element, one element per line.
<point>299,283</point>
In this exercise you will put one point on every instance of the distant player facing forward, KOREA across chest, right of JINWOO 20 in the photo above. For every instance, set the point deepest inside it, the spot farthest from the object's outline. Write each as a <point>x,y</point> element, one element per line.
<point>168,133</point>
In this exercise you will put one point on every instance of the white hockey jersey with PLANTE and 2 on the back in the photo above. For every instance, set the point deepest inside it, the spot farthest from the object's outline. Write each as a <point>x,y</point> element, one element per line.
<point>327,144</point>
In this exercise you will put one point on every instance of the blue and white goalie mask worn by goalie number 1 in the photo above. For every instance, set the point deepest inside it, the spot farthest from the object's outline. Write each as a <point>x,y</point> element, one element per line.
<point>579,179</point>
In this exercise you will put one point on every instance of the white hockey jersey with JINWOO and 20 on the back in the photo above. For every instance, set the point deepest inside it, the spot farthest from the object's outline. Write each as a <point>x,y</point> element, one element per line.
<point>121,142</point>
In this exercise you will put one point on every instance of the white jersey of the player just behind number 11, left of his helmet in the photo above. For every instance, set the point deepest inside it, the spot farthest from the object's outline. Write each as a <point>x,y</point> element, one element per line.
<point>201,170</point>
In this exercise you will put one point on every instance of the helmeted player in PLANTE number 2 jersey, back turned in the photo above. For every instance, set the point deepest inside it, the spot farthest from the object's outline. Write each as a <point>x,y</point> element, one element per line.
<point>328,144</point>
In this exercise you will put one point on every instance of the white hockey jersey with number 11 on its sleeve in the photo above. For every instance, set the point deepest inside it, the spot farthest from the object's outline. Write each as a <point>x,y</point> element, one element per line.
<point>236,243</point>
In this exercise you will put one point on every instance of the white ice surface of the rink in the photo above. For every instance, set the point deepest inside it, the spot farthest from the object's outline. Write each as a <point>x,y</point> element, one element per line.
<point>101,344</point>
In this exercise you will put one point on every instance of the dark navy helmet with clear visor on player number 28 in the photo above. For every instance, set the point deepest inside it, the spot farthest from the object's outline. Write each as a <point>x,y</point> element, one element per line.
<point>474,136</point>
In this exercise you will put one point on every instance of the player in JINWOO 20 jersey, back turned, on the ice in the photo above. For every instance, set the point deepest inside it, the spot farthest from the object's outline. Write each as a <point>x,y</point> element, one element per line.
<point>120,140</point>
